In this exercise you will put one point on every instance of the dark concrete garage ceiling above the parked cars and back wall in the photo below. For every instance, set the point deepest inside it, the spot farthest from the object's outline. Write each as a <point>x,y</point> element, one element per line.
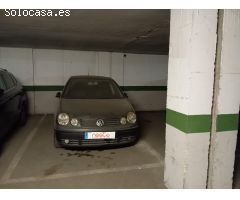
<point>132,31</point>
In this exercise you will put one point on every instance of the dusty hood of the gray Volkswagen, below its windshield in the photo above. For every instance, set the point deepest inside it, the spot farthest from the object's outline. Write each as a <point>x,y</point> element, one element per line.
<point>95,107</point>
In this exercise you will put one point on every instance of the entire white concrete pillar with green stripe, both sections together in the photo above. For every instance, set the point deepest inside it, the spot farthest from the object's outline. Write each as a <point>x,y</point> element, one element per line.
<point>202,98</point>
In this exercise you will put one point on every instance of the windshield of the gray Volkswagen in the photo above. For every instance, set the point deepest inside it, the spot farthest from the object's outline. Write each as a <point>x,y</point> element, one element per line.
<point>79,88</point>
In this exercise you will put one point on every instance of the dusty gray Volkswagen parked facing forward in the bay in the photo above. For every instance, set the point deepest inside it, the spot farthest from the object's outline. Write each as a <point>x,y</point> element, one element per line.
<point>94,112</point>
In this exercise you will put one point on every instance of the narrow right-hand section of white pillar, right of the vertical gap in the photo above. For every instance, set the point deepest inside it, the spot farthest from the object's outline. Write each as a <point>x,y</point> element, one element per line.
<point>226,101</point>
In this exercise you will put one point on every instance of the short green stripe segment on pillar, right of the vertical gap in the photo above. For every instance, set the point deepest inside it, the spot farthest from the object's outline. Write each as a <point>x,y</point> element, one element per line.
<point>227,122</point>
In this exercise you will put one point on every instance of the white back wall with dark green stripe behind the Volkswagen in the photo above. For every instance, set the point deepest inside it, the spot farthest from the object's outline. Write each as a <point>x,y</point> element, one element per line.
<point>44,71</point>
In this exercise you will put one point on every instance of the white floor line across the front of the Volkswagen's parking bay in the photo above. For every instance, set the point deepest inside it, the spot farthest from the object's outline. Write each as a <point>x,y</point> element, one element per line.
<point>82,173</point>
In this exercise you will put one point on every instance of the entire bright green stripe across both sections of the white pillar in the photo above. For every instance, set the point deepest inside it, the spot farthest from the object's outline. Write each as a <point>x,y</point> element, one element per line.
<point>201,123</point>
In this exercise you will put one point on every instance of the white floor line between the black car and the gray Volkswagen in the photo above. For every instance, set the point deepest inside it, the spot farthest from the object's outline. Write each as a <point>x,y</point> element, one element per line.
<point>18,156</point>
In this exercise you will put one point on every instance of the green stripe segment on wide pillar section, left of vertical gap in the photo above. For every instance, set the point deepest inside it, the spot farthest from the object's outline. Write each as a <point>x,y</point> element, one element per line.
<point>189,123</point>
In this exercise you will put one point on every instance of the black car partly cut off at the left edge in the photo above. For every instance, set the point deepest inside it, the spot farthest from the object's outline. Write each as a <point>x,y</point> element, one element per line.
<point>13,103</point>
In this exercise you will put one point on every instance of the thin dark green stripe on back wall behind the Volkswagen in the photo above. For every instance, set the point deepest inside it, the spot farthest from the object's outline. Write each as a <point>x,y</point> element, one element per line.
<point>125,88</point>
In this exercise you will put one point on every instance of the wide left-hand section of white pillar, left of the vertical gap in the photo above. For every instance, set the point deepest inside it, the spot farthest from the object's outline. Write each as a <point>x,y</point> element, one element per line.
<point>189,97</point>
